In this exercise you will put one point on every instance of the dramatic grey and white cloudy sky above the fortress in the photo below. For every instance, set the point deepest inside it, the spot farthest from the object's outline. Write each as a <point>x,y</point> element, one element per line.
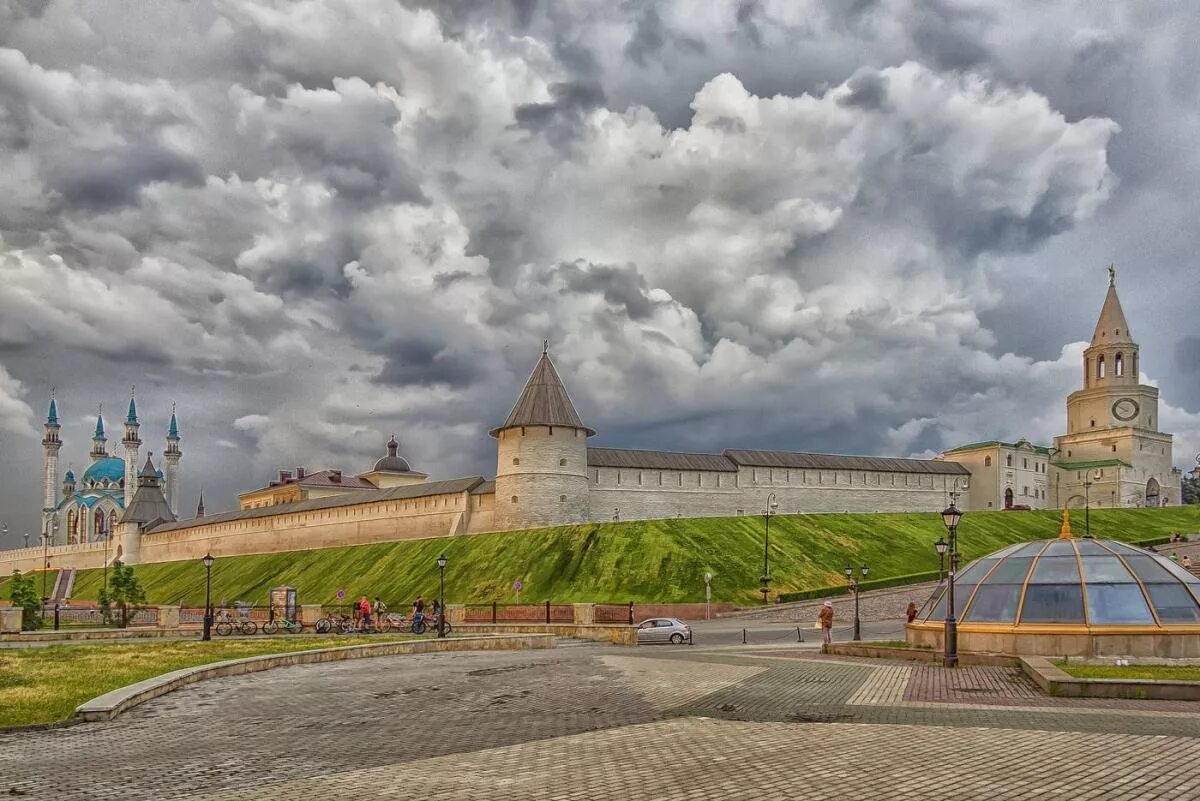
<point>848,226</point>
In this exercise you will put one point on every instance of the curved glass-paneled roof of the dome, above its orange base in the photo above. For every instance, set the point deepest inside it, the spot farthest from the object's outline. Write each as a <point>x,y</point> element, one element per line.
<point>1076,582</point>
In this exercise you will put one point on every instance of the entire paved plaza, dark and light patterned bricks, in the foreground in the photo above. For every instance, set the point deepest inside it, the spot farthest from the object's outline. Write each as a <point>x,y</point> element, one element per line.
<point>601,722</point>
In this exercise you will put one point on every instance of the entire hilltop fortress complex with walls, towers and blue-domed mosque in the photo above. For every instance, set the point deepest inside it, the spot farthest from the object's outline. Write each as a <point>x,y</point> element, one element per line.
<point>549,474</point>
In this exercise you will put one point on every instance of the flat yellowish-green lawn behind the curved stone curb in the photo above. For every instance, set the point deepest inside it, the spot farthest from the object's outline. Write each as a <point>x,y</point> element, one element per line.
<point>43,685</point>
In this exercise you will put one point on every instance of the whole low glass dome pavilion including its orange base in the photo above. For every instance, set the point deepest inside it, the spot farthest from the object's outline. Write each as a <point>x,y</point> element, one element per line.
<point>1070,597</point>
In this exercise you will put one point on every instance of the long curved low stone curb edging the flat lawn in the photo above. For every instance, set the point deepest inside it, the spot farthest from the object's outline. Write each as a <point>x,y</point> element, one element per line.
<point>111,704</point>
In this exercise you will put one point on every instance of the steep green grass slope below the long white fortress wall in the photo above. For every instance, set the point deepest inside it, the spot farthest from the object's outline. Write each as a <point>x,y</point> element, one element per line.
<point>641,561</point>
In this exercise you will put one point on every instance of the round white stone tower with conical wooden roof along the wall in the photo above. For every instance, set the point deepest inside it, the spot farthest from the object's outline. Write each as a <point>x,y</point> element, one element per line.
<point>542,456</point>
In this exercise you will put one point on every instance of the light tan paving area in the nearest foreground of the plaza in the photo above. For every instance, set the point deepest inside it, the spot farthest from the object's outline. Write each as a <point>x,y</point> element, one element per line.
<point>695,760</point>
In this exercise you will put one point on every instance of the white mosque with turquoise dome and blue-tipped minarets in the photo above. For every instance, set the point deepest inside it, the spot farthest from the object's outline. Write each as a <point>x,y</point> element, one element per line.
<point>89,510</point>
